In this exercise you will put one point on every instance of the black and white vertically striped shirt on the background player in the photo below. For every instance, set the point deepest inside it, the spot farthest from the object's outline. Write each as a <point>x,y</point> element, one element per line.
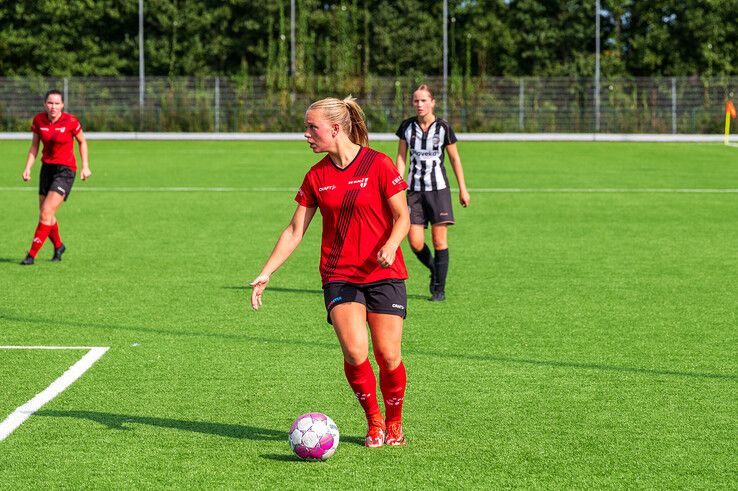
<point>426,171</point>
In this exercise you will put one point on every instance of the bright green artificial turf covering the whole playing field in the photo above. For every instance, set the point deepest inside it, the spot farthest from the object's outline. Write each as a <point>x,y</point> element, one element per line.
<point>588,340</point>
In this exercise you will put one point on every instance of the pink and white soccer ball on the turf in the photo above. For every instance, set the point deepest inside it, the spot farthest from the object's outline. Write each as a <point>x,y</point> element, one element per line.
<point>314,436</point>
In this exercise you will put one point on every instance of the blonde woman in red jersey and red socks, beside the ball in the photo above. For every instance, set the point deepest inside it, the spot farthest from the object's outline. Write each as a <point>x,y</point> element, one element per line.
<point>365,218</point>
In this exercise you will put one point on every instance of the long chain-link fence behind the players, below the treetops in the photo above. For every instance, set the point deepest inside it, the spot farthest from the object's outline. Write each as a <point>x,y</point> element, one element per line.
<point>254,104</point>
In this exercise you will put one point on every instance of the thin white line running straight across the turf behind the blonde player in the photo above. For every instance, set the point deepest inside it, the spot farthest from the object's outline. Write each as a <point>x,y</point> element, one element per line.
<point>294,190</point>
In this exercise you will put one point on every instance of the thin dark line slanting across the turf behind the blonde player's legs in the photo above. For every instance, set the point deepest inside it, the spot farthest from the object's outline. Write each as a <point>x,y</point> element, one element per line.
<point>414,352</point>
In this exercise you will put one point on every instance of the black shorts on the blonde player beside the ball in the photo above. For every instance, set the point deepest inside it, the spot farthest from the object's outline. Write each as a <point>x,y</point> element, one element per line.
<point>381,297</point>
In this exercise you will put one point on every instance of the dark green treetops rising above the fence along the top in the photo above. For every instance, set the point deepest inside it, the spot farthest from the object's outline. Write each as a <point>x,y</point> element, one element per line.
<point>368,37</point>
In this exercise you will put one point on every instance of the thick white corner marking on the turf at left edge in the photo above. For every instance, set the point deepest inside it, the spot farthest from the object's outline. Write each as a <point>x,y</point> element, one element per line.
<point>22,413</point>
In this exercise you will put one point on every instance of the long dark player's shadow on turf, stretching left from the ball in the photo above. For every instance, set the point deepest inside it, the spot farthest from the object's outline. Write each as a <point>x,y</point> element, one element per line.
<point>123,422</point>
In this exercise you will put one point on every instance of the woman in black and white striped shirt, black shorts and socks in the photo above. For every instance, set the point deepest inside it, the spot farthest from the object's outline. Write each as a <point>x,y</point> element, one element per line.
<point>428,195</point>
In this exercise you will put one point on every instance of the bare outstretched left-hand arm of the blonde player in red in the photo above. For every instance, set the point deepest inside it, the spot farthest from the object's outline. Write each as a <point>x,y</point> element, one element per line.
<point>286,244</point>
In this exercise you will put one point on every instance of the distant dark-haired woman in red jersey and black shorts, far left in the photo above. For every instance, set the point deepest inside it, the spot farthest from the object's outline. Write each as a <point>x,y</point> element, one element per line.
<point>57,130</point>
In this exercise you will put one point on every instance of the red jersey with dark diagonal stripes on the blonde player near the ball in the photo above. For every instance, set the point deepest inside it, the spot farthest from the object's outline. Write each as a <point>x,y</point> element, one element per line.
<point>357,219</point>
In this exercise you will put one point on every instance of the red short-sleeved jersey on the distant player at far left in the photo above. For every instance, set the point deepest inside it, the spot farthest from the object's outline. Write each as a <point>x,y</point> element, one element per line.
<point>58,138</point>
